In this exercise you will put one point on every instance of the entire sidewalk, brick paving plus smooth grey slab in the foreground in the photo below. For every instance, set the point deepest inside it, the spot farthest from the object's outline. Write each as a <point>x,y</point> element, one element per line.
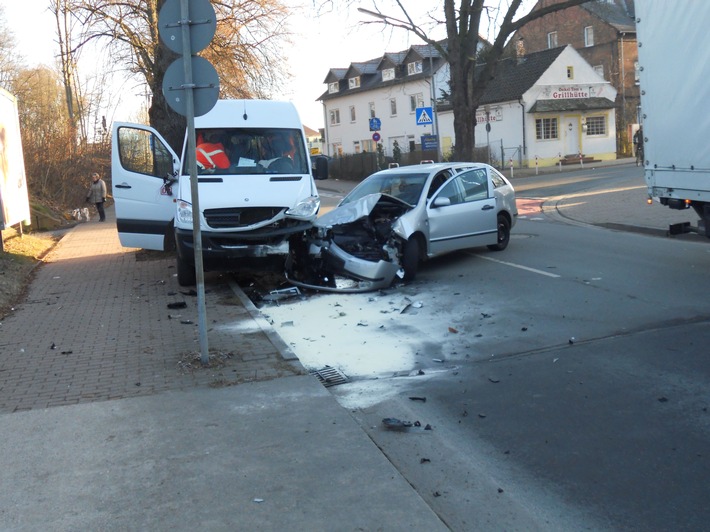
<point>110,423</point>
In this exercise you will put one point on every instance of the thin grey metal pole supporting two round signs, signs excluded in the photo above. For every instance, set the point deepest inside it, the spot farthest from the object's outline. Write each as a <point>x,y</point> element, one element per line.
<point>192,163</point>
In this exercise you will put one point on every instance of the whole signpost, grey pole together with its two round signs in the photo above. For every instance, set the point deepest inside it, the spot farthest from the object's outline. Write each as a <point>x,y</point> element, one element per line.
<point>191,87</point>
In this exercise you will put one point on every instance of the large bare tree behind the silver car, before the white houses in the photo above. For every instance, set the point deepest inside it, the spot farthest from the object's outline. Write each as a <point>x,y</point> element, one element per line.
<point>470,70</point>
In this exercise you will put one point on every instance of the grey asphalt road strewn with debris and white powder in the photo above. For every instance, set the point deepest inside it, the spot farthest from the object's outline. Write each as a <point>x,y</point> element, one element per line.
<point>565,379</point>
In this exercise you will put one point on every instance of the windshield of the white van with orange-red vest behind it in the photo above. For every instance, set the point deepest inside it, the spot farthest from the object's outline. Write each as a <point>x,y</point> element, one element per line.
<point>223,151</point>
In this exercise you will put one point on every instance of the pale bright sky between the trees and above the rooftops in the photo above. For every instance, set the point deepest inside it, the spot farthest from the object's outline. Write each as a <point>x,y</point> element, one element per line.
<point>323,39</point>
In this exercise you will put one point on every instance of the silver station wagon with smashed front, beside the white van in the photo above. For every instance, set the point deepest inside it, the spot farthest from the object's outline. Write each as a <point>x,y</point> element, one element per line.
<point>396,218</point>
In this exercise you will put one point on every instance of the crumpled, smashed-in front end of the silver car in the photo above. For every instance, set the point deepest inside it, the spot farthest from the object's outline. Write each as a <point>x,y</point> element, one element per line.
<point>356,247</point>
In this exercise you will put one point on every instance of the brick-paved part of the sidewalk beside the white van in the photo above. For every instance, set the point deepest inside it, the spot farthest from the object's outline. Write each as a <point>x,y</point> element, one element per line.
<point>95,325</point>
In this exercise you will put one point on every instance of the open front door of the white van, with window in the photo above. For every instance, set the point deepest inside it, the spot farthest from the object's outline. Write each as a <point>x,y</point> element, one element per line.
<point>143,172</point>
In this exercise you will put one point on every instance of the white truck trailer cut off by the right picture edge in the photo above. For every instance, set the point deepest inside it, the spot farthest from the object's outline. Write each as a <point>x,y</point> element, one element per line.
<point>674,69</point>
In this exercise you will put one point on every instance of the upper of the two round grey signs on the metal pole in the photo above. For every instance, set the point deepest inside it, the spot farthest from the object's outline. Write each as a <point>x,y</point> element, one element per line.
<point>202,23</point>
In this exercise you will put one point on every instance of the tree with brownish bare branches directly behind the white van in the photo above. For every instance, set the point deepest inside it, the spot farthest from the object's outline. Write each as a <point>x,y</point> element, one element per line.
<point>245,50</point>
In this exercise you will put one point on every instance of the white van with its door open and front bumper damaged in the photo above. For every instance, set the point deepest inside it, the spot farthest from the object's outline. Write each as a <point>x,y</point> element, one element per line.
<point>256,187</point>
